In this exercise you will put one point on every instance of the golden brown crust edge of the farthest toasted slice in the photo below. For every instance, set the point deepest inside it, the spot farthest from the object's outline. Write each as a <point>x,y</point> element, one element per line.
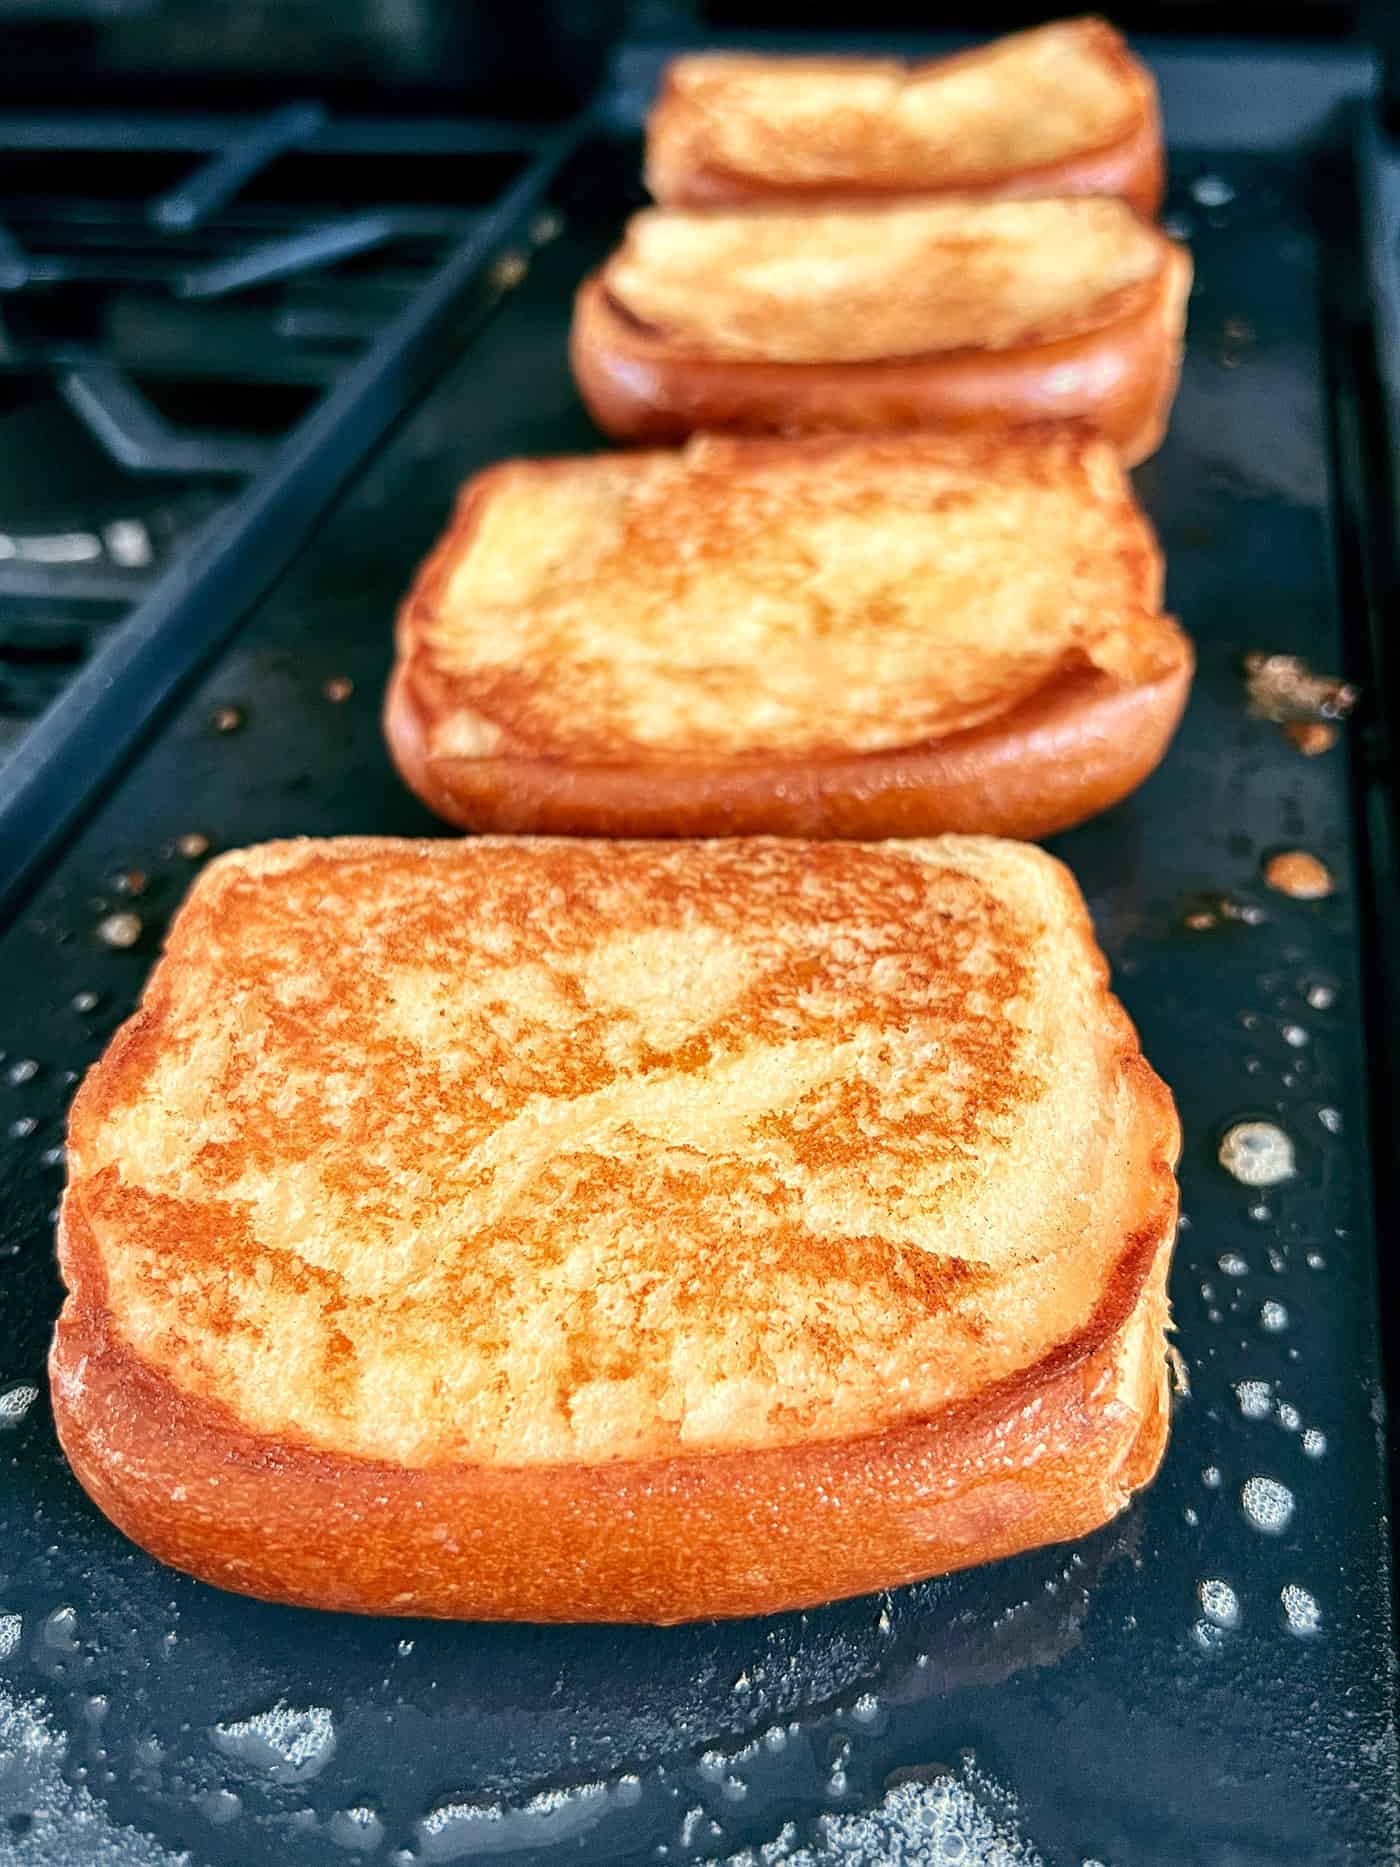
<point>1128,165</point>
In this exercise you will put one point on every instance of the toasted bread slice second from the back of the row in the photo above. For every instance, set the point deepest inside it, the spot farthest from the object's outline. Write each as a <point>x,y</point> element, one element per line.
<point>942,315</point>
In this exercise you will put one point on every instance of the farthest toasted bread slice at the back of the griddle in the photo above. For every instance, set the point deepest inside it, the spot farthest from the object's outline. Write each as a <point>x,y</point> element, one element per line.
<point>1065,109</point>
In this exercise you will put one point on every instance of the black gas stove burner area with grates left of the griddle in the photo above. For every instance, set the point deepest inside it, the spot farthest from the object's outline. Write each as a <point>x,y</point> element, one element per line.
<point>176,300</point>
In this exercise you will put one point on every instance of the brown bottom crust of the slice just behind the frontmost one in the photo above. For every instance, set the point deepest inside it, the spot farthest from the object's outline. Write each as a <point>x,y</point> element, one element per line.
<point>1063,755</point>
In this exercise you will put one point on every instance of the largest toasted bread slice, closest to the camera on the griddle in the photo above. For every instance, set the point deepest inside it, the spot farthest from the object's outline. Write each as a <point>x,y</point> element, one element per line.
<point>617,1231</point>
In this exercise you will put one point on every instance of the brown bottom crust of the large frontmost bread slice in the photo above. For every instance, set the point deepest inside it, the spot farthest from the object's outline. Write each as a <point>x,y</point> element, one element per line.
<point>1044,1457</point>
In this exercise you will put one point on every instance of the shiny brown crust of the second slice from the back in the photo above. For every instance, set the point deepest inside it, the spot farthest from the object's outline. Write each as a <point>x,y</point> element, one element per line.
<point>1121,378</point>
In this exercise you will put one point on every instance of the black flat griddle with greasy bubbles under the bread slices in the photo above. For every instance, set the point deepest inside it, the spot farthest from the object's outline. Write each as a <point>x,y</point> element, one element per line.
<point>1192,1685</point>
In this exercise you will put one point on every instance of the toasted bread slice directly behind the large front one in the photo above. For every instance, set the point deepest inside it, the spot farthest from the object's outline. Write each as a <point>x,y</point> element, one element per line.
<point>819,638</point>
